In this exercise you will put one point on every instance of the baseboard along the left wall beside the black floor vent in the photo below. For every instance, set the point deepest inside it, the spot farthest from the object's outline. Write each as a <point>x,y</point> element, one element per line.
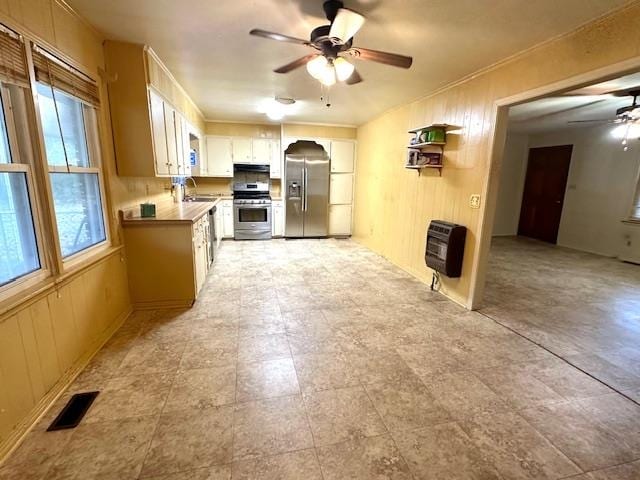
<point>15,438</point>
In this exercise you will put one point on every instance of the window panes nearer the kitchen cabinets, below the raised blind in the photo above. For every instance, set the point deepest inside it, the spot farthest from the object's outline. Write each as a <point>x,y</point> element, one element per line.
<point>69,126</point>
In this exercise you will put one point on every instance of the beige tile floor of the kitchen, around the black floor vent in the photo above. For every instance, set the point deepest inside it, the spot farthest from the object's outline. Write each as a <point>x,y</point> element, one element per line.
<point>319,360</point>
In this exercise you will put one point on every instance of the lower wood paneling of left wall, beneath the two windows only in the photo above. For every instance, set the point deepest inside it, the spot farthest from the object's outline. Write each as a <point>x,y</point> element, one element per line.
<point>49,339</point>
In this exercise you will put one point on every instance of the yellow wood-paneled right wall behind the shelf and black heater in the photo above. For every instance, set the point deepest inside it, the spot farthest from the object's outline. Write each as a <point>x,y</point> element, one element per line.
<point>393,206</point>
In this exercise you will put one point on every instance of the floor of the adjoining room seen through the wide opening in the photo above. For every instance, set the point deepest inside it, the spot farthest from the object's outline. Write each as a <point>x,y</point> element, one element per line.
<point>583,307</point>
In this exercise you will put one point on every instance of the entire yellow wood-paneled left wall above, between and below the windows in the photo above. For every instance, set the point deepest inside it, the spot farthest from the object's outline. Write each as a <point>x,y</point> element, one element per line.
<point>46,338</point>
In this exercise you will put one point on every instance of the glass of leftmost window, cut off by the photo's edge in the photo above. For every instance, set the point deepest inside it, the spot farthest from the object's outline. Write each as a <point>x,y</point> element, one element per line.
<point>18,245</point>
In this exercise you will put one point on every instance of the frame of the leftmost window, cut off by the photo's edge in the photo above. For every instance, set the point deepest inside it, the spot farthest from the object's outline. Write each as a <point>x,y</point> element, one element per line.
<point>21,165</point>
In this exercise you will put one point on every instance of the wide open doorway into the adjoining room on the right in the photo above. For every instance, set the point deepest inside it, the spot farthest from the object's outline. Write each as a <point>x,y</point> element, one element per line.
<point>564,262</point>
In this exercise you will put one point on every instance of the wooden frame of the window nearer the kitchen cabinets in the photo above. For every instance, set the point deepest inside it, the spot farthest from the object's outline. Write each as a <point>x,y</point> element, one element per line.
<point>94,154</point>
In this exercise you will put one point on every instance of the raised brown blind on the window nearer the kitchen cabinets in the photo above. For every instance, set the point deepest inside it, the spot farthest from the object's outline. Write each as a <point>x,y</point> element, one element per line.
<point>58,74</point>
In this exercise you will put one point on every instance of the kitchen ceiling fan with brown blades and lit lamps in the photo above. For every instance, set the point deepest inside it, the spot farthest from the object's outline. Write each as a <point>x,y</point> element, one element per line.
<point>333,43</point>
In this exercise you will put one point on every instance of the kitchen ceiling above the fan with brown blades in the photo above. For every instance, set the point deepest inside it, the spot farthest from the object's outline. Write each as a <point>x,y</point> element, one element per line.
<point>205,43</point>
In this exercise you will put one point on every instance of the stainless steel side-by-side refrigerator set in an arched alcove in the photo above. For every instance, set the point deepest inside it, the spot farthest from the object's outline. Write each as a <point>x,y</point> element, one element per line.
<point>306,190</point>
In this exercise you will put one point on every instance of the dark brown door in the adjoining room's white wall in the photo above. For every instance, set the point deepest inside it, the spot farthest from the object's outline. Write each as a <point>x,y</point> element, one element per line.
<point>544,190</point>
